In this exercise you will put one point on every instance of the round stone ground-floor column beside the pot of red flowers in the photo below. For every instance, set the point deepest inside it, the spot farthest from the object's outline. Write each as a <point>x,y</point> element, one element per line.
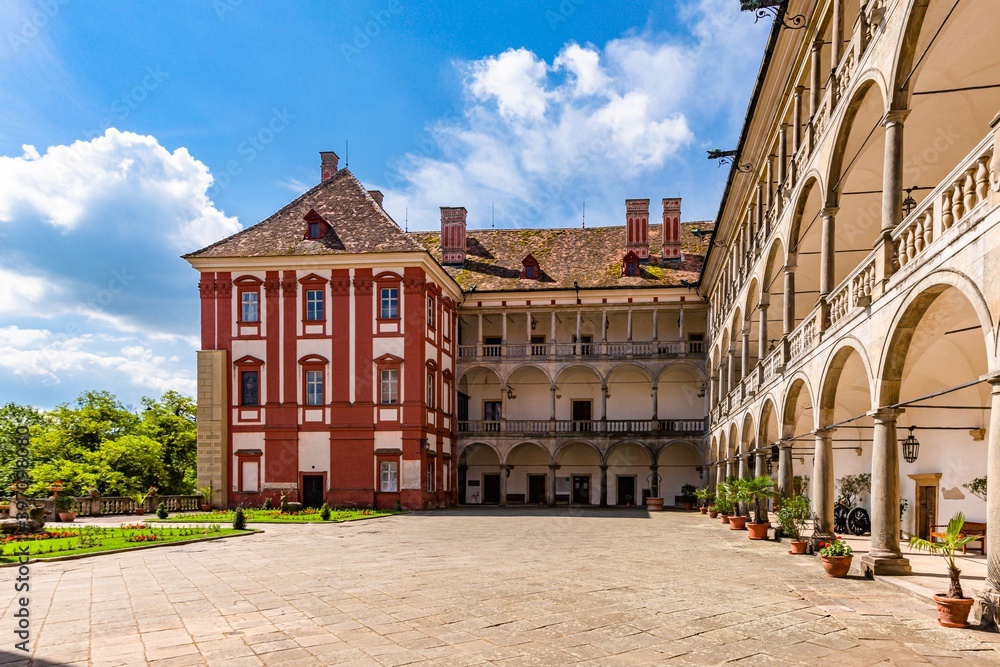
<point>885,556</point>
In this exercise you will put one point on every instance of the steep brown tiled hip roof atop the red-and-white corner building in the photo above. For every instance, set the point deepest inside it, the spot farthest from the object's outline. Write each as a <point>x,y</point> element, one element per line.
<point>358,225</point>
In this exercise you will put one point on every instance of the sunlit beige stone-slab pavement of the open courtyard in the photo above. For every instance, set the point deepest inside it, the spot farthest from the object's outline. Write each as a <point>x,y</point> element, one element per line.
<point>478,587</point>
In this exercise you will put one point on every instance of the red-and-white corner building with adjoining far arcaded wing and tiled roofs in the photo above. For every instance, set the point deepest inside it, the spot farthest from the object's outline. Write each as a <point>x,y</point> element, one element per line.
<point>346,361</point>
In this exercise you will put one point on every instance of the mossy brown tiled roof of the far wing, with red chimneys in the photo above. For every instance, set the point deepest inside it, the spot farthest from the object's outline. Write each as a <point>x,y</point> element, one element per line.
<point>591,257</point>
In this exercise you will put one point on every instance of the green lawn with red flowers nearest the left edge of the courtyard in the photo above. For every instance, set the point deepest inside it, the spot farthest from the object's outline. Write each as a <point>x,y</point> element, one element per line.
<point>95,539</point>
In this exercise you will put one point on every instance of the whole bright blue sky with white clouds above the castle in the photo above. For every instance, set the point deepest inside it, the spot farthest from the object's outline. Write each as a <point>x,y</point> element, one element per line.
<point>131,133</point>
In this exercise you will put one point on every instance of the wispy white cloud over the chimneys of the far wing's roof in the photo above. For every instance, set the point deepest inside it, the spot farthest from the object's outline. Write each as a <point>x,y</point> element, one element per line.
<point>595,124</point>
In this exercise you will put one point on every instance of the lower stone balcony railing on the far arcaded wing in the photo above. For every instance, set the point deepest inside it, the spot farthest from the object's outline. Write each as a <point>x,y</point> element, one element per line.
<point>603,426</point>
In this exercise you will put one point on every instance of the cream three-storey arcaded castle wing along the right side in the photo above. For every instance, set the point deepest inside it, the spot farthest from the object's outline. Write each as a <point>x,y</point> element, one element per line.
<point>852,279</point>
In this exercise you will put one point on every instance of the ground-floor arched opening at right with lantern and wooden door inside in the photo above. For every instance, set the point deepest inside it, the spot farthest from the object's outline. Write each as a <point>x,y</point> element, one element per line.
<point>937,345</point>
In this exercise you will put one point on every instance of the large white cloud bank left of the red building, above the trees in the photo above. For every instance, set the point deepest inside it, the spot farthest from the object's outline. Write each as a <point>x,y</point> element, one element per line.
<point>97,296</point>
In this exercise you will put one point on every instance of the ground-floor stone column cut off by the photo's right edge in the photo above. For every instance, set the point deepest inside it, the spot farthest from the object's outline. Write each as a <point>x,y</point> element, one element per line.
<point>987,608</point>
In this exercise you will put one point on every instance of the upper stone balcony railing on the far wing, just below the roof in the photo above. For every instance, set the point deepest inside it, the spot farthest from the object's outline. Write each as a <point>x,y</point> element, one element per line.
<point>607,350</point>
